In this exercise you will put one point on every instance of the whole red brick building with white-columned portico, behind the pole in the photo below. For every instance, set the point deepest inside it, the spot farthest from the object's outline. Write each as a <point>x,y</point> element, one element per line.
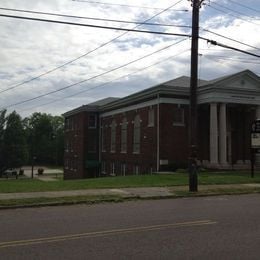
<point>148,131</point>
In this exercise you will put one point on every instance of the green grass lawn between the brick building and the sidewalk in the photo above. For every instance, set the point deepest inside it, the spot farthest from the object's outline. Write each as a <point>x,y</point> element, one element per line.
<point>159,180</point>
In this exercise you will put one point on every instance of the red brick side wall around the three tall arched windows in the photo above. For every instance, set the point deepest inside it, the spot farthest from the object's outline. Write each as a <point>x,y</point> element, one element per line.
<point>146,159</point>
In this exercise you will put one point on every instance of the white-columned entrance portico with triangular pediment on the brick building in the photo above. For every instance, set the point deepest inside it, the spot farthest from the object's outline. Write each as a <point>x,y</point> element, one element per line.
<point>233,104</point>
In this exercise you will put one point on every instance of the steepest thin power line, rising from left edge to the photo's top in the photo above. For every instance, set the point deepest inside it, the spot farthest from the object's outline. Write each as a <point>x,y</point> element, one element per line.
<point>91,51</point>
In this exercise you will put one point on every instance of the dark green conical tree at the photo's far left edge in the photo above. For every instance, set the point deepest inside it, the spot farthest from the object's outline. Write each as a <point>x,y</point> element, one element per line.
<point>14,142</point>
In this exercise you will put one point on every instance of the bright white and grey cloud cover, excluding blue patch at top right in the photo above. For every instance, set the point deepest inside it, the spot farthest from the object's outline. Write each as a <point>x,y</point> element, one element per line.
<point>30,48</point>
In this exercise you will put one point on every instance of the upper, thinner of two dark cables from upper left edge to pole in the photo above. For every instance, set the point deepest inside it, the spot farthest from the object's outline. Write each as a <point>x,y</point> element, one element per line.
<point>92,18</point>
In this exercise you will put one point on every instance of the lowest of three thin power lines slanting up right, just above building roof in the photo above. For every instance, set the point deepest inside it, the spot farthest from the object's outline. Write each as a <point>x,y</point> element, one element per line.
<point>106,83</point>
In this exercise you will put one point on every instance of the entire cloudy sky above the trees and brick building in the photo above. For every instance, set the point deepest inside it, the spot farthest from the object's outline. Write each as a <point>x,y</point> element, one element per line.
<point>52,68</point>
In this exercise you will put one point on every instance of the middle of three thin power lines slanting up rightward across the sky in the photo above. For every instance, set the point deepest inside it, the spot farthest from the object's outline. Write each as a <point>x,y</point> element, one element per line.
<point>91,78</point>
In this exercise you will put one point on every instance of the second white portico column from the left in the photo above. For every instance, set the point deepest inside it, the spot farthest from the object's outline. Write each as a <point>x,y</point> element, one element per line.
<point>223,134</point>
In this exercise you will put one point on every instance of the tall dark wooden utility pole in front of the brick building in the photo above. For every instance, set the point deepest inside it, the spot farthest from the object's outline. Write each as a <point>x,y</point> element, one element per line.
<point>193,175</point>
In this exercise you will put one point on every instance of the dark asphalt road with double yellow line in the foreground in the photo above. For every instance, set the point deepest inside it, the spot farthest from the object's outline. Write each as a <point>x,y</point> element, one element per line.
<point>223,227</point>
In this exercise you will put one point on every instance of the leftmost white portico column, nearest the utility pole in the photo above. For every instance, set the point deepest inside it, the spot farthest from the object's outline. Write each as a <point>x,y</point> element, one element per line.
<point>213,134</point>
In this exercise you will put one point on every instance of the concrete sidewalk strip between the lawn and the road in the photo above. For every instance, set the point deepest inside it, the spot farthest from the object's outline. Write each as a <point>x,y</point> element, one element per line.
<point>144,192</point>
